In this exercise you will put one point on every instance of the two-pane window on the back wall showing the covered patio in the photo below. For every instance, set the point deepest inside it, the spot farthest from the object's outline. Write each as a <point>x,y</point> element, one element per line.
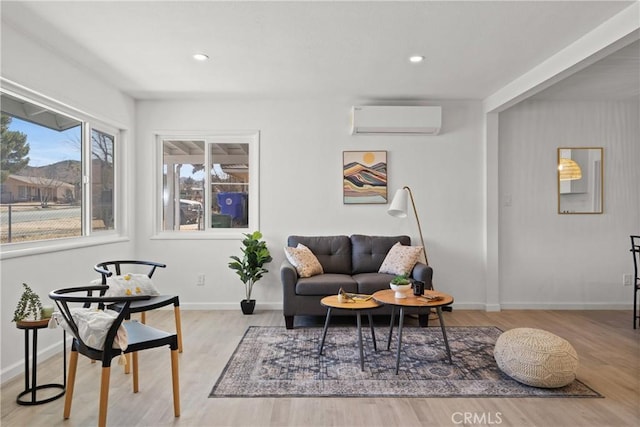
<point>209,183</point>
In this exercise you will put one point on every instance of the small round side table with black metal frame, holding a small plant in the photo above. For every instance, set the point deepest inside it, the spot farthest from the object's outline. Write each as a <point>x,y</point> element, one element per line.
<point>31,389</point>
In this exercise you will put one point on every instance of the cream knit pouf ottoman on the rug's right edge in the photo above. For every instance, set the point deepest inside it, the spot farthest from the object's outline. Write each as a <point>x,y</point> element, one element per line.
<point>535,357</point>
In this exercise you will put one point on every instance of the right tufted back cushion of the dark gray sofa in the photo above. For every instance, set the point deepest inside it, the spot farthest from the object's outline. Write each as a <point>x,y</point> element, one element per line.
<point>370,251</point>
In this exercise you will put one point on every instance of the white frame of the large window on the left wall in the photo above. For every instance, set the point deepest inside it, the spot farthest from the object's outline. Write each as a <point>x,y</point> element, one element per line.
<point>89,121</point>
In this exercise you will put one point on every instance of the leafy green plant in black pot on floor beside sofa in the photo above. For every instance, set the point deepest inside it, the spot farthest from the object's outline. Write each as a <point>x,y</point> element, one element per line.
<point>250,266</point>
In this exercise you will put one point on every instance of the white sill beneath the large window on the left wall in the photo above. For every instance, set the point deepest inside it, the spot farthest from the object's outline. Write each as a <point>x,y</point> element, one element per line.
<point>17,250</point>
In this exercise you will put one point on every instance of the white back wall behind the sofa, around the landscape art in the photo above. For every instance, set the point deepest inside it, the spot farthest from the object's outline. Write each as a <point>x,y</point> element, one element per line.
<point>301,191</point>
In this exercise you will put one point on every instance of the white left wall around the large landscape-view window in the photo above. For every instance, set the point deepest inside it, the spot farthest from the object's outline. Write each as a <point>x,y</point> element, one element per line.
<point>39,69</point>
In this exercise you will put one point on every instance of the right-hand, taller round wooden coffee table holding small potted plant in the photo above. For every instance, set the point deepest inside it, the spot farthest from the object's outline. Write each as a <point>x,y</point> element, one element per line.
<point>430,299</point>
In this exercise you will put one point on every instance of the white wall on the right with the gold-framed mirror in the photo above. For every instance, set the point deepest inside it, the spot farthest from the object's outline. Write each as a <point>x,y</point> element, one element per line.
<point>566,261</point>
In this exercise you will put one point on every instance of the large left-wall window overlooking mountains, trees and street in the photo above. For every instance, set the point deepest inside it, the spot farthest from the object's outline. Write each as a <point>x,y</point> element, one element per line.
<point>57,176</point>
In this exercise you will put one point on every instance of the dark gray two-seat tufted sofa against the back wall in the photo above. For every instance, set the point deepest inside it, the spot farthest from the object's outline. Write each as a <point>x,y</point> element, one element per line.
<point>348,262</point>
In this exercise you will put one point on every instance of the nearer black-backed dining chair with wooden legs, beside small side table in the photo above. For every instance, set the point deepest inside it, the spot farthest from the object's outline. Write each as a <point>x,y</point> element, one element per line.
<point>139,337</point>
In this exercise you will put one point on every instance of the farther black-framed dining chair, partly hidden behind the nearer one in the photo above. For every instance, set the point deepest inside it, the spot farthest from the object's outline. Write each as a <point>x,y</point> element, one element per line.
<point>108,268</point>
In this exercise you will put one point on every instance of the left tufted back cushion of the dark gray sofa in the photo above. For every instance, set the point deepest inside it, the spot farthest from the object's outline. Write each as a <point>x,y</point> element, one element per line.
<point>333,252</point>
